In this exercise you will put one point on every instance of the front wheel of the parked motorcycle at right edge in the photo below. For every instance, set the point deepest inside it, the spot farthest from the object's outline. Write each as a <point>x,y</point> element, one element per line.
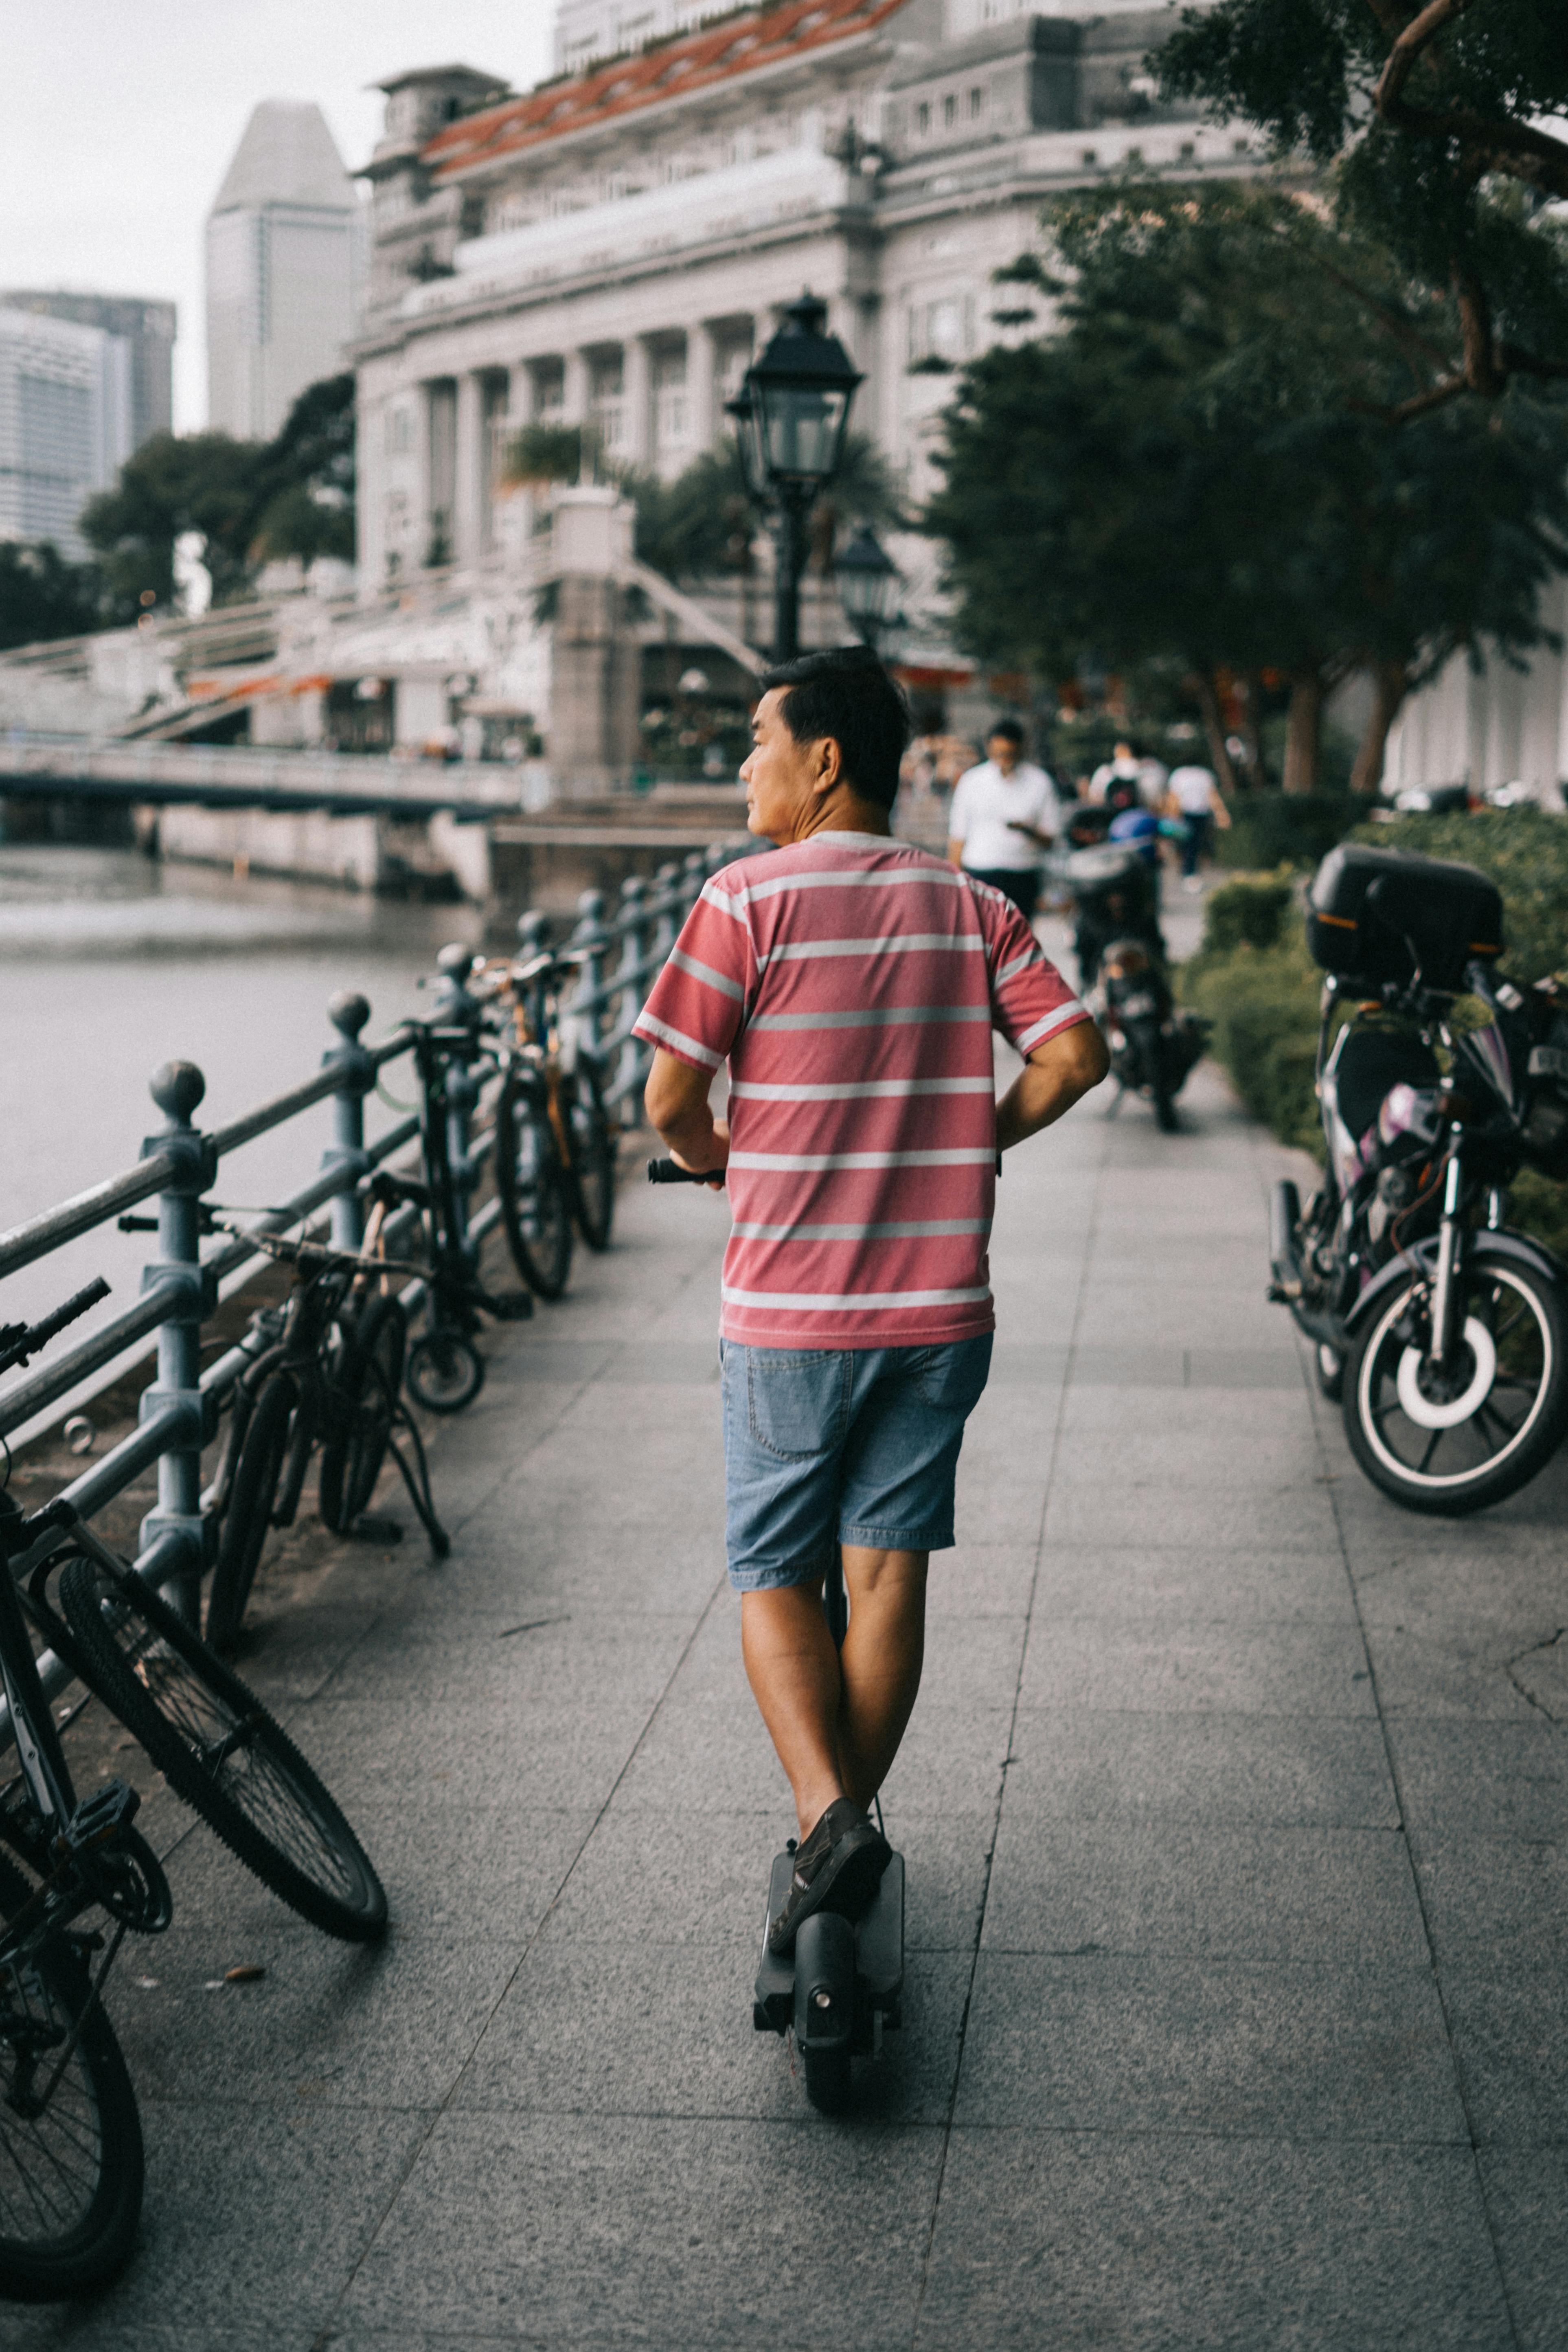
<point>1482,1431</point>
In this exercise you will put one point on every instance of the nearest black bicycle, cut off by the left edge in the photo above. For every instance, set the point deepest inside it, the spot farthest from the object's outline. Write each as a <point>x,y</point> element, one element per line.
<point>72,2170</point>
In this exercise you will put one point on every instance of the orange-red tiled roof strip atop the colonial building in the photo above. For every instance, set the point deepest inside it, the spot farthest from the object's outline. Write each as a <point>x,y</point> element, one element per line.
<point>671,69</point>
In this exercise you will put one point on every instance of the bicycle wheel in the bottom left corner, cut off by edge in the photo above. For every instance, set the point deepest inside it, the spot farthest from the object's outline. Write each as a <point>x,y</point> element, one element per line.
<point>72,2174</point>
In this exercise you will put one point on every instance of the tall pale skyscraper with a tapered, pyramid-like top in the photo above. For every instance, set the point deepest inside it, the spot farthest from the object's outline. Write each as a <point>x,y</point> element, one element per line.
<point>281,269</point>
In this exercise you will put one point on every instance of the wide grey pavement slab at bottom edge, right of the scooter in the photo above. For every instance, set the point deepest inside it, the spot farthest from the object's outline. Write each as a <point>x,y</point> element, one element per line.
<point>1249,2245</point>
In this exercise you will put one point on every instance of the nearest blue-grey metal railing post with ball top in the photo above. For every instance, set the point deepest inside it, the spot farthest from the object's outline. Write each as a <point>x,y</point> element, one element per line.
<point>177,1088</point>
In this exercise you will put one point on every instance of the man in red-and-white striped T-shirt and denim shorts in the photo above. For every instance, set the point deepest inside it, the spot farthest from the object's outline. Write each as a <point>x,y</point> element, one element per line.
<point>852,982</point>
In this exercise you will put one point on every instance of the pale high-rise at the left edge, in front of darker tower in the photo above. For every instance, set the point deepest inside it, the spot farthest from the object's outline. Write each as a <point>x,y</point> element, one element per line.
<point>65,425</point>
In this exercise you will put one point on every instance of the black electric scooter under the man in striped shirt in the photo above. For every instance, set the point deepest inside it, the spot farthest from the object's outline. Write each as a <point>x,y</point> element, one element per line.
<point>840,1991</point>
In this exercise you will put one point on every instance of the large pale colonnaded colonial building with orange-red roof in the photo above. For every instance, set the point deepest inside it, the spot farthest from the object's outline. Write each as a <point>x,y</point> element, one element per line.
<point>617,243</point>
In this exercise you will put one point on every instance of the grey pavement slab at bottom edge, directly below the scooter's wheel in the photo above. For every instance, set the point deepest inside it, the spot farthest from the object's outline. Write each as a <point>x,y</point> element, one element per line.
<point>570,2231</point>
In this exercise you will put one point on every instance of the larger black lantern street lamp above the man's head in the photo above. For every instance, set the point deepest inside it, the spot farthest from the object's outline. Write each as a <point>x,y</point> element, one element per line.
<point>793,413</point>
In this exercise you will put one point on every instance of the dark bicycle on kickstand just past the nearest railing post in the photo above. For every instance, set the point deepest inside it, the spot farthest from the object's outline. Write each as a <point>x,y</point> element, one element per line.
<point>326,1375</point>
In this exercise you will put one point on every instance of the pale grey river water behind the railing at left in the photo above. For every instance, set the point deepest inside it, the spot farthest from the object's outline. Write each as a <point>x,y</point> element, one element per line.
<point>114,965</point>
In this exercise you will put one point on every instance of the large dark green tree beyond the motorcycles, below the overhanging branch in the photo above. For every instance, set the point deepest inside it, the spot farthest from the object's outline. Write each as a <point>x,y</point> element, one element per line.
<point>1198,467</point>
